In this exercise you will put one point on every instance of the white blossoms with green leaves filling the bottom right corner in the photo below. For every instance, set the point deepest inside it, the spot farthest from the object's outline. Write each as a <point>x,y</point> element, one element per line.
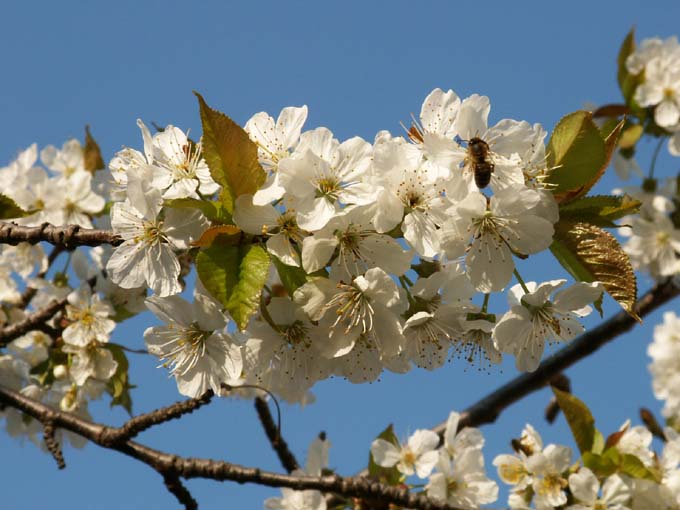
<point>547,476</point>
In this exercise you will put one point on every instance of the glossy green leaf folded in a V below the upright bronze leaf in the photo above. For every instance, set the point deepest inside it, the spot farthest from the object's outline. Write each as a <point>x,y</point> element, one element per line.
<point>235,276</point>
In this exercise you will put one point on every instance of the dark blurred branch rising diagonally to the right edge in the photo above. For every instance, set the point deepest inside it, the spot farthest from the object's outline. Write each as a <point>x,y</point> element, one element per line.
<point>488,408</point>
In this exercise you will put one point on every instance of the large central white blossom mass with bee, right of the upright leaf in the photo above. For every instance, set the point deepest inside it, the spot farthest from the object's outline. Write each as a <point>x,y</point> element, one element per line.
<point>396,238</point>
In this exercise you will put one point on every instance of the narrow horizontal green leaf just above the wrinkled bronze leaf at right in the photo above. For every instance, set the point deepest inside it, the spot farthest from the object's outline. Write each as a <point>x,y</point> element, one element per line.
<point>600,210</point>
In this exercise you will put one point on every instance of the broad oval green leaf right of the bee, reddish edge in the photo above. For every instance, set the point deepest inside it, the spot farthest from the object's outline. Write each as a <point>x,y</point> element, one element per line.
<point>576,151</point>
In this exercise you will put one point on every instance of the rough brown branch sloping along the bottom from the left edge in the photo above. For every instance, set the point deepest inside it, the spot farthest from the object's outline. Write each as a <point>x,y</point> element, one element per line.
<point>173,466</point>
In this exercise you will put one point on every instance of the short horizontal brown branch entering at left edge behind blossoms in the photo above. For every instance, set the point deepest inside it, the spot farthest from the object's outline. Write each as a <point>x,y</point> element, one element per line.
<point>68,236</point>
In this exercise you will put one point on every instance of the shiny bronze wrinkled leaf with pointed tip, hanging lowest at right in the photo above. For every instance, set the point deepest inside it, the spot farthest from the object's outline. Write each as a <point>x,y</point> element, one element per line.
<point>589,254</point>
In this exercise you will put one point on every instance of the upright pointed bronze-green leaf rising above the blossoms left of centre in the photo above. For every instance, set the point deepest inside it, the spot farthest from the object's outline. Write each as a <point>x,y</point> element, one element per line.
<point>230,154</point>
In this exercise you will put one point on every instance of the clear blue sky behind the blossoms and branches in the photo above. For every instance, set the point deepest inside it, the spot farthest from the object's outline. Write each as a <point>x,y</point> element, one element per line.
<point>360,67</point>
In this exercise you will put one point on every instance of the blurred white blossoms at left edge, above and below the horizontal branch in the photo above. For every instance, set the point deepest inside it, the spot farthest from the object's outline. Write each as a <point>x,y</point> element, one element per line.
<point>70,361</point>
